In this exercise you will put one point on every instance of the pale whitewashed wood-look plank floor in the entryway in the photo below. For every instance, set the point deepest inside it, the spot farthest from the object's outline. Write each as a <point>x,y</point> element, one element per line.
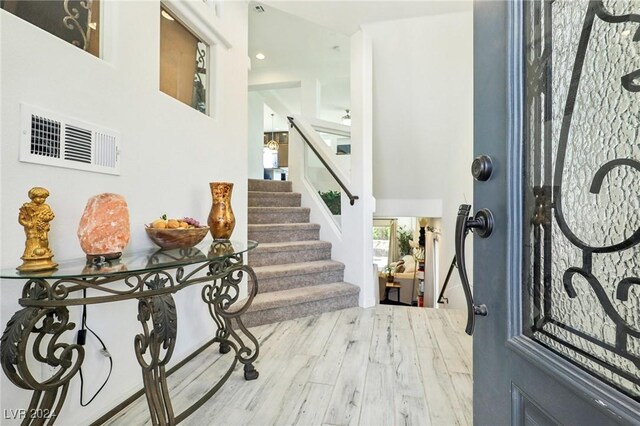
<point>387,365</point>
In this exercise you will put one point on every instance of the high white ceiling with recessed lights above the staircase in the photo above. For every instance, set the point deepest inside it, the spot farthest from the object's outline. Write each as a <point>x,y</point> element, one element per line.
<point>302,38</point>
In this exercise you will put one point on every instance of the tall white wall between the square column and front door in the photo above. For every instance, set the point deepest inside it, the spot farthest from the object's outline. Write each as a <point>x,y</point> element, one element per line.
<point>423,121</point>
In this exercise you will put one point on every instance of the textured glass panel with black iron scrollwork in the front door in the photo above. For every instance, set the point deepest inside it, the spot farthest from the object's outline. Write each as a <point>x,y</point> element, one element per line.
<point>610,356</point>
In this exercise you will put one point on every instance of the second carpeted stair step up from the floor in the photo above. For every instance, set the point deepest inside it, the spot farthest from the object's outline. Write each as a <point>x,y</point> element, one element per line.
<point>292,275</point>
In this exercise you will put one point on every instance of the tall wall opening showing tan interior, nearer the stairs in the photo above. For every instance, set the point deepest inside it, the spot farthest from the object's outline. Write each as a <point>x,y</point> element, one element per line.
<point>183,63</point>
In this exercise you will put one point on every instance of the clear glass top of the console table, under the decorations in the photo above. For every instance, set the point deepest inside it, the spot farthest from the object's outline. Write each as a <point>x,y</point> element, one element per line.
<point>136,261</point>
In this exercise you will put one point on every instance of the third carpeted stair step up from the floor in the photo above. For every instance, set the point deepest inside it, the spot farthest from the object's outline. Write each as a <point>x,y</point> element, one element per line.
<point>289,252</point>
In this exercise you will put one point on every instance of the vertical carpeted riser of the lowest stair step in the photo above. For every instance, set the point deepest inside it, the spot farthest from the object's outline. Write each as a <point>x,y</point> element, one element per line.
<point>268,316</point>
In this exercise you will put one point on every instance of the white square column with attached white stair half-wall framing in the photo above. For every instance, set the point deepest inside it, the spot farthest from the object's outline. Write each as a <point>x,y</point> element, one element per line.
<point>352,242</point>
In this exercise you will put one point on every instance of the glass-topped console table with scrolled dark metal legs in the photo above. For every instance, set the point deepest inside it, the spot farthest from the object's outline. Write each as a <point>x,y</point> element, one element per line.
<point>149,276</point>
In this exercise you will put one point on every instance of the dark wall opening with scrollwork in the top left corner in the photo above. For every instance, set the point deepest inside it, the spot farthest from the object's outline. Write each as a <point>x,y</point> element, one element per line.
<point>75,21</point>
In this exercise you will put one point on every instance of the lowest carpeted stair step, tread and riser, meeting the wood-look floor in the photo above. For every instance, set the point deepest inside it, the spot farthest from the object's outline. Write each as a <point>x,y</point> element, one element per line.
<point>284,305</point>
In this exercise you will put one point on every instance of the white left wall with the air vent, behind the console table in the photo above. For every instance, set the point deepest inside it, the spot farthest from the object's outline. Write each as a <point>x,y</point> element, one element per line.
<point>169,154</point>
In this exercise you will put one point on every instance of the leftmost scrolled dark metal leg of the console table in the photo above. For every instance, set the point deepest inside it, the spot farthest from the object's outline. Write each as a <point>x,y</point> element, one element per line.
<point>49,394</point>
